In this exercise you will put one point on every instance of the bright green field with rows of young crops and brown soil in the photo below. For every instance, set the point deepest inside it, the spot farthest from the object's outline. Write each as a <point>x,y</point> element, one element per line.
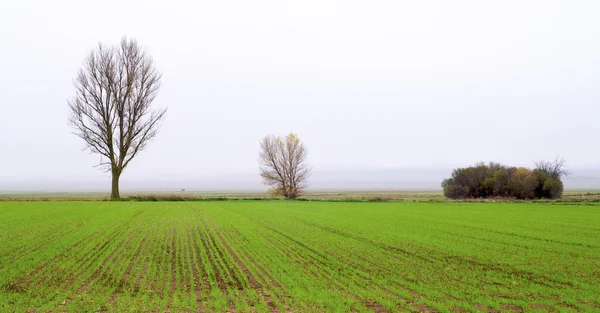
<point>265,256</point>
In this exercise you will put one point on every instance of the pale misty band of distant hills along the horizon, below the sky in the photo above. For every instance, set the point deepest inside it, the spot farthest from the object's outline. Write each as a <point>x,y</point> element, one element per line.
<point>416,179</point>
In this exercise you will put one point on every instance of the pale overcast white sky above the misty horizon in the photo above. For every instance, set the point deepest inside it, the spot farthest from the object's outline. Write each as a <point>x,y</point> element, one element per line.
<point>365,84</point>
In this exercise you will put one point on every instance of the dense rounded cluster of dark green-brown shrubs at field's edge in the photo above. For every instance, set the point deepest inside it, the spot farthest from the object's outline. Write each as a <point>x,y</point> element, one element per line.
<point>497,180</point>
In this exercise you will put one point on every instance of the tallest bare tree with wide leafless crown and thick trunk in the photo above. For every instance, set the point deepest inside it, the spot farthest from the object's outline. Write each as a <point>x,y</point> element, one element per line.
<point>111,110</point>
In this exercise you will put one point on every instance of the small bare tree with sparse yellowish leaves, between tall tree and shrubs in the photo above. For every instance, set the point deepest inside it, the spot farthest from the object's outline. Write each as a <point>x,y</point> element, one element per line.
<point>283,165</point>
